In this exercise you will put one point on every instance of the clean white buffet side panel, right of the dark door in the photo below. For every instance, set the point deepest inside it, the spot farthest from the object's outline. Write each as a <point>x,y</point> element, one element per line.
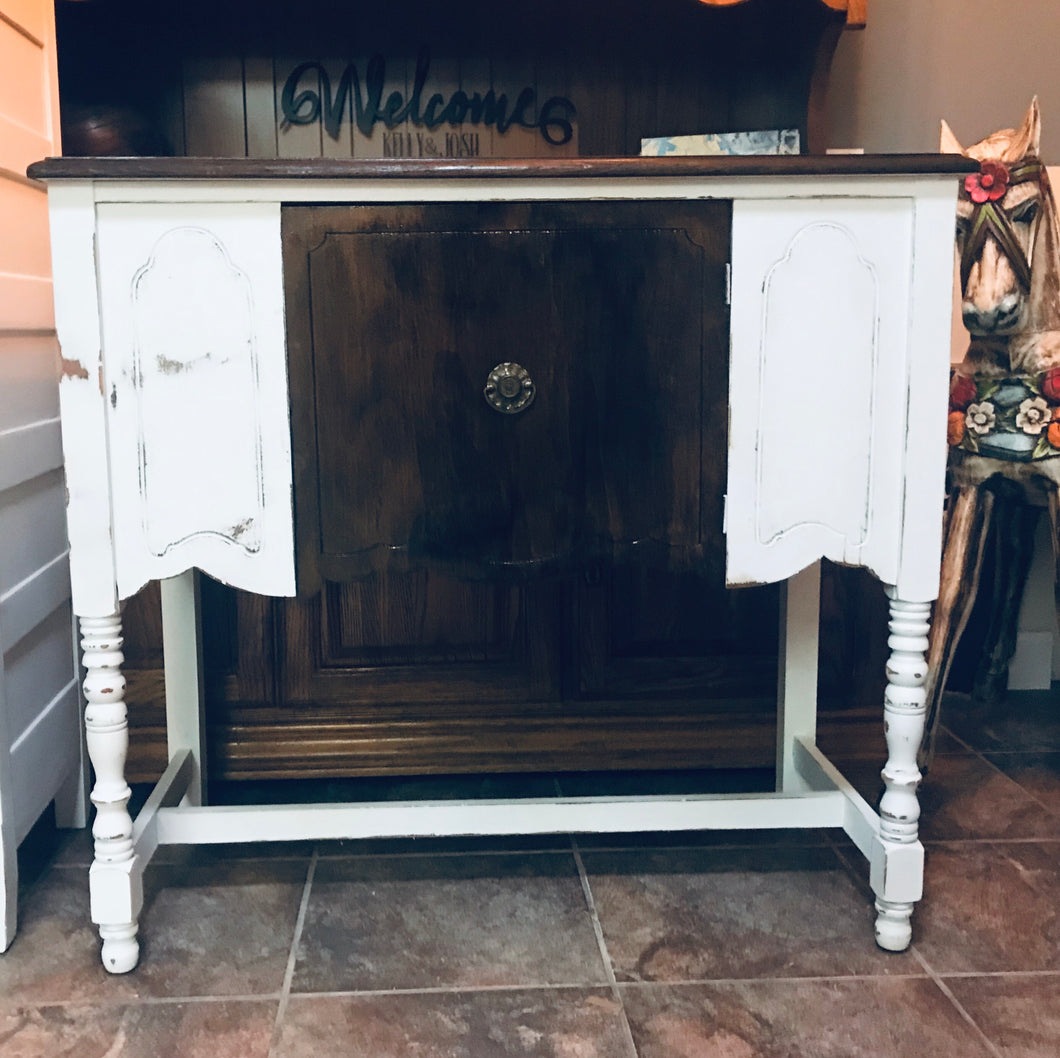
<point>819,368</point>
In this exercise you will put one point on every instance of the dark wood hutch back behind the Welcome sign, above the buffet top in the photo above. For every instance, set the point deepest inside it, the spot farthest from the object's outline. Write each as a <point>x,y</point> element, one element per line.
<point>202,74</point>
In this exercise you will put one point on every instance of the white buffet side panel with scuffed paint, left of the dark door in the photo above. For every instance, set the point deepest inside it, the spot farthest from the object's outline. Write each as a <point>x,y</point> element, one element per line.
<point>197,394</point>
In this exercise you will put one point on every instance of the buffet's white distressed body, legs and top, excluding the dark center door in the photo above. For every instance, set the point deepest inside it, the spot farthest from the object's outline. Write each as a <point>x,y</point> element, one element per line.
<point>169,279</point>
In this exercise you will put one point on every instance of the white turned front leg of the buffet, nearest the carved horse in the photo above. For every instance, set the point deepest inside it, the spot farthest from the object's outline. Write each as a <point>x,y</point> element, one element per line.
<point>897,868</point>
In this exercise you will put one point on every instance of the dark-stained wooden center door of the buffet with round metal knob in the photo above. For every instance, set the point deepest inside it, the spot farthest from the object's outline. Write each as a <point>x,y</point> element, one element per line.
<point>399,314</point>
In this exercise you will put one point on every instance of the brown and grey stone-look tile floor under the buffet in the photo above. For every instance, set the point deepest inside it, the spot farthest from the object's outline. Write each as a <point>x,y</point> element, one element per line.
<point>735,946</point>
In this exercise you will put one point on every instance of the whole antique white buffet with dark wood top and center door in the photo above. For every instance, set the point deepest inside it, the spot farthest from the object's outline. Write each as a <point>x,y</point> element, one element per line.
<point>176,286</point>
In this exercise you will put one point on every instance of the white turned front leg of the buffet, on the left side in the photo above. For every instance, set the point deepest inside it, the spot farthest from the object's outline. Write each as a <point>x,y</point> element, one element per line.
<point>115,883</point>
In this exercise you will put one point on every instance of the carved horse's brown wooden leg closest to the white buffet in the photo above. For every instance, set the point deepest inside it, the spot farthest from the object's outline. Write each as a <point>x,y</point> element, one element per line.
<point>969,516</point>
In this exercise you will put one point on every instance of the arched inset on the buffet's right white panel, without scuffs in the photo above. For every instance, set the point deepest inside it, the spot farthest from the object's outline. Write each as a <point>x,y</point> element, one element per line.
<point>820,376</point>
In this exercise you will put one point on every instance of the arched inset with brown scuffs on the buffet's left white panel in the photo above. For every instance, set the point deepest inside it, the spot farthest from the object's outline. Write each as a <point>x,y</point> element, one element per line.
<point>196,369</point>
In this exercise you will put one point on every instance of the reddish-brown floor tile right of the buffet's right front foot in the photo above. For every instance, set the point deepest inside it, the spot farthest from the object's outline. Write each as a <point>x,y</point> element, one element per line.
<point>991,907</point>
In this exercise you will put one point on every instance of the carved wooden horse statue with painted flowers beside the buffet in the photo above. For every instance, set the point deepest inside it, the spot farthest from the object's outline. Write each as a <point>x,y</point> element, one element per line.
<point>1004,419</point>
